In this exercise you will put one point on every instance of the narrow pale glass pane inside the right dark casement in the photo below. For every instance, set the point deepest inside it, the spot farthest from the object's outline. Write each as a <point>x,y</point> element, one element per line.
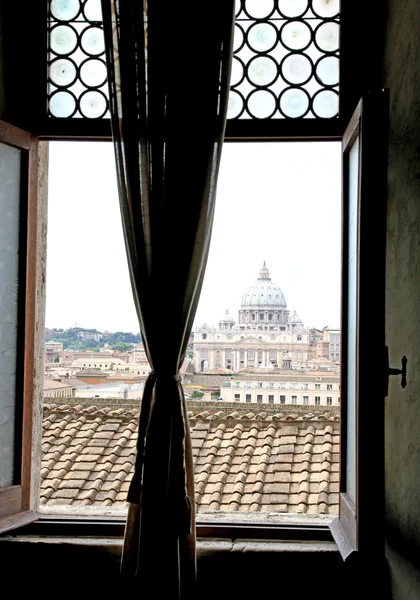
<point>352,321</point>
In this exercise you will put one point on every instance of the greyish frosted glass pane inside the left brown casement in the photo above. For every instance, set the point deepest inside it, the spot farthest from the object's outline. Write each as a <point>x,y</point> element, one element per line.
<point>9,246</point>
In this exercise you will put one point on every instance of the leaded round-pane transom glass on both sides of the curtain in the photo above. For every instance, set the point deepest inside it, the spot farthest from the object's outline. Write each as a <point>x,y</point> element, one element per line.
<point>290,48</point>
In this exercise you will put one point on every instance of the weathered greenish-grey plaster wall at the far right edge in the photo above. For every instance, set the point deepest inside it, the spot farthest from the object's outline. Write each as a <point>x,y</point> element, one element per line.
<point>402,429</point>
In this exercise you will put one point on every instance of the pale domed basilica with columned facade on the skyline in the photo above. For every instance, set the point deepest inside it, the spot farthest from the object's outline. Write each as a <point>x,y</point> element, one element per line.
<point>266,335</point>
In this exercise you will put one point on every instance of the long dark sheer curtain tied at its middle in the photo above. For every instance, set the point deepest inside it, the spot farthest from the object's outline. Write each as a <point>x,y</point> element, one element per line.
<point>169,68</point>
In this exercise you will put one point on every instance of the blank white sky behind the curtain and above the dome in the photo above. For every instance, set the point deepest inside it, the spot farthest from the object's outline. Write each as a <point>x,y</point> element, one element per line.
<point>278,202</point>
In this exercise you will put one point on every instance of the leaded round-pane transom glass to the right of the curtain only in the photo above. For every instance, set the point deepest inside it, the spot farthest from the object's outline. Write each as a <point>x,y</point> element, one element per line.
<point>291,50</point>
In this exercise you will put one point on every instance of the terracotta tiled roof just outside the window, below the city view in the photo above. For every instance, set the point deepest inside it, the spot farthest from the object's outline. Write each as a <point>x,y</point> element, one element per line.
<point>246,459</point>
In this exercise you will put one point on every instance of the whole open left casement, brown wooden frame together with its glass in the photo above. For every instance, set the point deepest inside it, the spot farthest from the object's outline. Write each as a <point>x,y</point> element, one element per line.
<point>18,206</point>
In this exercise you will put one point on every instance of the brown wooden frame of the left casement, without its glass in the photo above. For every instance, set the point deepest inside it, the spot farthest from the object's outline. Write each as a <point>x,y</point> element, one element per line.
<point>15,500</point>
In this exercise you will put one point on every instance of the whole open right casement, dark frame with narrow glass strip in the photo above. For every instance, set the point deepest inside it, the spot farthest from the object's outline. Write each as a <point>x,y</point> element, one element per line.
<point>360,523</point>
